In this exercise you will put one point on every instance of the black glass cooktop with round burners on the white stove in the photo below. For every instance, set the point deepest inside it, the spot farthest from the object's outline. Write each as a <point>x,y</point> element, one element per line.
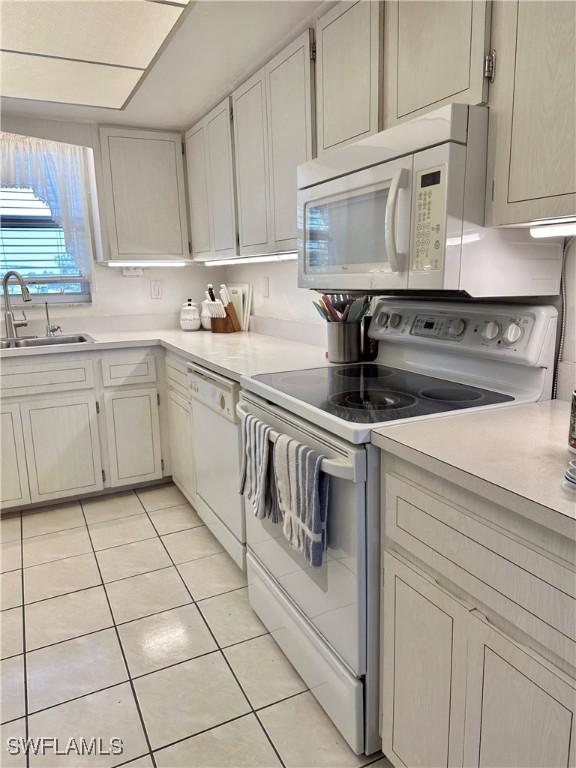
<point>370,393</point>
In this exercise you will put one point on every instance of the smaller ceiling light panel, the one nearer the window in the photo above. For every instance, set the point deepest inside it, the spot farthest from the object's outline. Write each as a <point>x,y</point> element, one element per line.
<point>73,82</point>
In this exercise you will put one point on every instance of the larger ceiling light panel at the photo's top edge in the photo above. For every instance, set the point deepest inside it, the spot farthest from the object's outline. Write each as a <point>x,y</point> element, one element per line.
<point>126,32</point>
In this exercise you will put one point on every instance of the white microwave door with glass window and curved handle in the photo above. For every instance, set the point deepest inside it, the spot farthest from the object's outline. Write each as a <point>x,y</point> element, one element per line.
<point>354,231</point>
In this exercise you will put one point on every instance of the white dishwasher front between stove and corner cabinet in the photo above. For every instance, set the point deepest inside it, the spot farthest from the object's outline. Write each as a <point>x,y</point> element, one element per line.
<point>216,447</point>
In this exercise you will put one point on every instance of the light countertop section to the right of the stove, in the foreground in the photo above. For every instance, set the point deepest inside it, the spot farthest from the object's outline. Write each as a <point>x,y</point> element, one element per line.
<point>514,455</point>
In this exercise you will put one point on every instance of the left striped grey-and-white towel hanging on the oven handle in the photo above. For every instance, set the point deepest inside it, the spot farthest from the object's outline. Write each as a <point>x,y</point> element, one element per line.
<point>256,475</point>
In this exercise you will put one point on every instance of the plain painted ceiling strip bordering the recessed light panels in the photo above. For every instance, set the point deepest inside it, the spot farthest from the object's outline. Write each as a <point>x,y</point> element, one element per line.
<point>216,45</point>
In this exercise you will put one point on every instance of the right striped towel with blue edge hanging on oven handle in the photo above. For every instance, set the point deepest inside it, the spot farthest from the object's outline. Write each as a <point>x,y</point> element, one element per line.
<point>302,497</point>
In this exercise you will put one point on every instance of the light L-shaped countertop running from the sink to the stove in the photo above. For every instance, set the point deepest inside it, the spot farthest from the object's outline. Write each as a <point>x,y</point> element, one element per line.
<point>231,354</point>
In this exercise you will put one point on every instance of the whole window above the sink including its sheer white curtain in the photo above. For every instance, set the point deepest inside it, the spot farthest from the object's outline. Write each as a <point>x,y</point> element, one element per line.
<point>45,216</point>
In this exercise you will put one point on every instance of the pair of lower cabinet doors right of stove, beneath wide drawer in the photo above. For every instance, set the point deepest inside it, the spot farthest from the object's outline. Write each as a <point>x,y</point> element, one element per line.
<point>456,691</point>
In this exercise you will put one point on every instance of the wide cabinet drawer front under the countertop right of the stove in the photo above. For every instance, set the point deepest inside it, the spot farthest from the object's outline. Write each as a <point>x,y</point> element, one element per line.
<point>532,591</point>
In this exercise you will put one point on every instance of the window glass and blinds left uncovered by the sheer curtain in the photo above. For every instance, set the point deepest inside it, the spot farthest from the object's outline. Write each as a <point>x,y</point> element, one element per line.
<point>32,243</point>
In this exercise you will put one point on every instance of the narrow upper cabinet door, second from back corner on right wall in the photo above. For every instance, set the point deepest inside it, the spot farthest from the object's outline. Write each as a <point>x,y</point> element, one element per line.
<point>221,180</point>
